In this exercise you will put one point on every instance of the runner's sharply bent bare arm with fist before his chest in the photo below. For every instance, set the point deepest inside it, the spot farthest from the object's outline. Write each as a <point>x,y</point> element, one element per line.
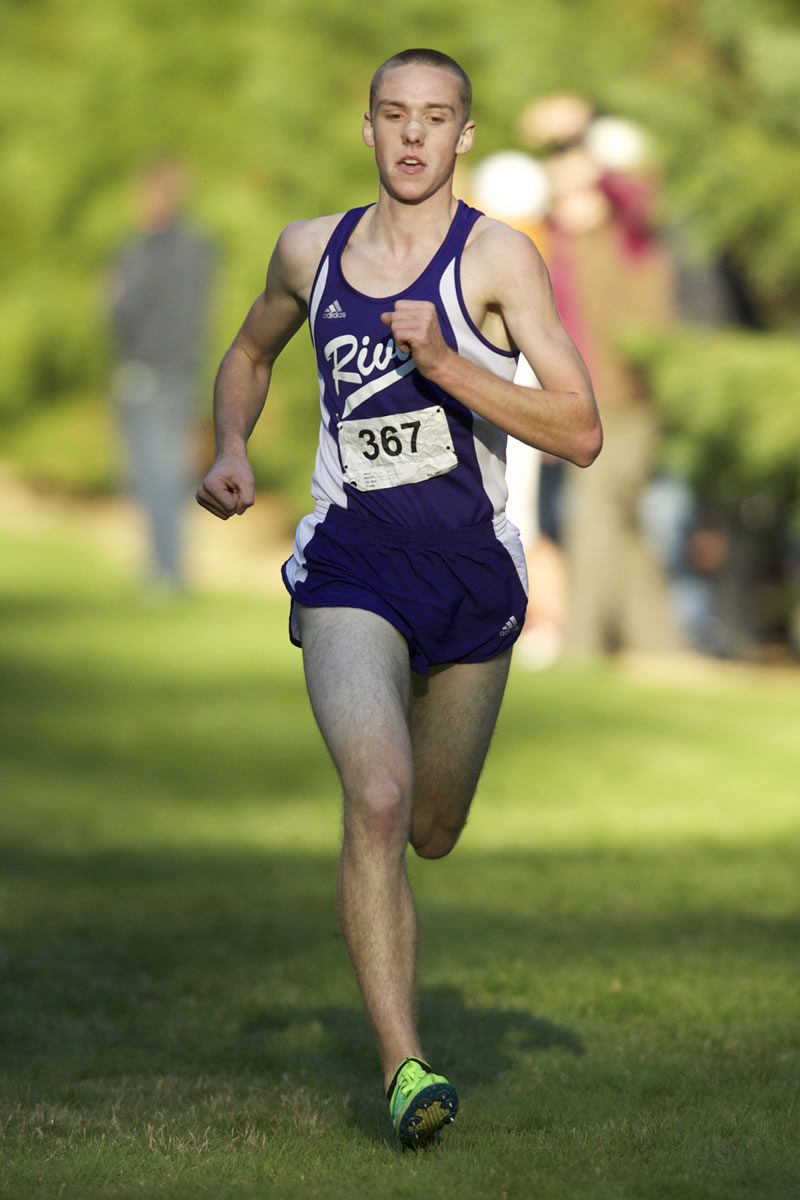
<point>562,418</point>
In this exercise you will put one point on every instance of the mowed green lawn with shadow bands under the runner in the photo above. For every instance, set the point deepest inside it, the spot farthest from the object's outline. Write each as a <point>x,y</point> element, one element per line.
<point>609,962</point>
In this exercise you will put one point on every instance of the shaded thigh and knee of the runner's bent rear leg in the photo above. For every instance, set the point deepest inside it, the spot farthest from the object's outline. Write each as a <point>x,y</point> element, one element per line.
<point>453,717</point>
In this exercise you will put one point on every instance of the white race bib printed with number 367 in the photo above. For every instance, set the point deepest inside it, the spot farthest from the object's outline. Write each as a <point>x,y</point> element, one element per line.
<point>387,452</point>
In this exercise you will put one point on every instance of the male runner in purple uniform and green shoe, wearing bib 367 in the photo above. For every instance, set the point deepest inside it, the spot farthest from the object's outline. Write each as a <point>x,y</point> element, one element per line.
<point>408,586</point>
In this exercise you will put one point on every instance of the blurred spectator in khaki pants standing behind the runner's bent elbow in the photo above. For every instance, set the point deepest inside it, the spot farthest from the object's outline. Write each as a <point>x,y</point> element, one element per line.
<point>611,271</point>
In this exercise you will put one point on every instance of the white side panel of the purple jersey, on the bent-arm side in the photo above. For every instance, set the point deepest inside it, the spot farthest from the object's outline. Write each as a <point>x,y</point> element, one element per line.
<point>490,441</point>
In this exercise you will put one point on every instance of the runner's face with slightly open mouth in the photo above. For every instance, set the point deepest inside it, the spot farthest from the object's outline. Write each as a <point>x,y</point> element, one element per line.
<point>417,130</point>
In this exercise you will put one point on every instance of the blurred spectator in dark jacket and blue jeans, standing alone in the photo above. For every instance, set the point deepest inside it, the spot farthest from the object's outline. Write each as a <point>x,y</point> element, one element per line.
<point>160,291</point>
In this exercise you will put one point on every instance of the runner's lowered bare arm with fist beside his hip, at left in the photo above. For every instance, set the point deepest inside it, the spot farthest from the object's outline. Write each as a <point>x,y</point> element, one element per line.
<point>244,377</point>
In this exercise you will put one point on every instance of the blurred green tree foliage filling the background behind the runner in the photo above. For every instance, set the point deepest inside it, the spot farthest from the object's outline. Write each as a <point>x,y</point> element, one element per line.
<point>264,105</point>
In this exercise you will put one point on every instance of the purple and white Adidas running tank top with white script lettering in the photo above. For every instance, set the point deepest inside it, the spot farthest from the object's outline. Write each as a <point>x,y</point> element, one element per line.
<point>394,447</point>
